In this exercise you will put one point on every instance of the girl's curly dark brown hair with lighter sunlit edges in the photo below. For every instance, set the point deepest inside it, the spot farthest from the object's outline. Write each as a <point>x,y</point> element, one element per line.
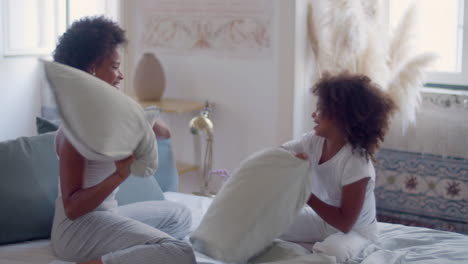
<point>360,108</point>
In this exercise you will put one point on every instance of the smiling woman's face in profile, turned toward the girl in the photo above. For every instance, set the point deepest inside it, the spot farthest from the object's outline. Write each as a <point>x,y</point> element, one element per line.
<point>108,69</point>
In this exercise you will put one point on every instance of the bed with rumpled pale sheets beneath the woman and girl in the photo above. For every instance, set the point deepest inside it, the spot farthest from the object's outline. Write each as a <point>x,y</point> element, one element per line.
<point>397,244</point>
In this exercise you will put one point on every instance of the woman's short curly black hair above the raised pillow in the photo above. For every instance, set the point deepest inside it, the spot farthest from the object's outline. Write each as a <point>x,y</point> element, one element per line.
<point>88,41</point>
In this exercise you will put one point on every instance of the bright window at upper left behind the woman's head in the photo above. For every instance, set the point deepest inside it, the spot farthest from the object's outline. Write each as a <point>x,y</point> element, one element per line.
<point>32,27</point>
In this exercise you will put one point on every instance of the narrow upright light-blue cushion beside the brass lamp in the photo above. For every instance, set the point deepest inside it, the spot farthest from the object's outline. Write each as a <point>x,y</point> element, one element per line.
<point>166,174</point>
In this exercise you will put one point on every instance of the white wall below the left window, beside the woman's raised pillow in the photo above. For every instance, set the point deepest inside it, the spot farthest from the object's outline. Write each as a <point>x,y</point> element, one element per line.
<point>19,94</point>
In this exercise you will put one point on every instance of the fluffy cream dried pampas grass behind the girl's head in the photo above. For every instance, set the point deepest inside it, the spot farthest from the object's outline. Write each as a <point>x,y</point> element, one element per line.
<point>351,35</point>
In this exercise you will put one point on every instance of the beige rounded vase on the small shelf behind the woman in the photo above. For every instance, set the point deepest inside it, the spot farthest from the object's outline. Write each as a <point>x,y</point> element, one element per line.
<point>149,81</point>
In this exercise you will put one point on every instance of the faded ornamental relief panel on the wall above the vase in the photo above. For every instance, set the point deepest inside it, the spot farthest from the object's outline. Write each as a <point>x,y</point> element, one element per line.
<point>233,28</point>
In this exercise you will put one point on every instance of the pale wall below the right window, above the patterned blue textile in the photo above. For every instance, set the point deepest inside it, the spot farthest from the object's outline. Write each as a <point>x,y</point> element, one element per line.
<point>441,126</point>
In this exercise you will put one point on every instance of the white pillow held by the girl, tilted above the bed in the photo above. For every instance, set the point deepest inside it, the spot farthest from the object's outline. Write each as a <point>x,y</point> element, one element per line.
<point>255,206</point>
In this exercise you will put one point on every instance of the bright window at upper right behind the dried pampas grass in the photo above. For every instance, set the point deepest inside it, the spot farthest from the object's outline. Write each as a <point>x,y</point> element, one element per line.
<point>440,29</point>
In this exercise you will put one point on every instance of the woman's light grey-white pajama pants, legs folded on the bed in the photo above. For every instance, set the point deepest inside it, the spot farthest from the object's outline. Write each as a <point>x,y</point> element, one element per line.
<point>139,233</point>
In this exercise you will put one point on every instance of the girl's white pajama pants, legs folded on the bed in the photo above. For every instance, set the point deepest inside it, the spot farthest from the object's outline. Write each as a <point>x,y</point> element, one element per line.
<point>308,227</point>
